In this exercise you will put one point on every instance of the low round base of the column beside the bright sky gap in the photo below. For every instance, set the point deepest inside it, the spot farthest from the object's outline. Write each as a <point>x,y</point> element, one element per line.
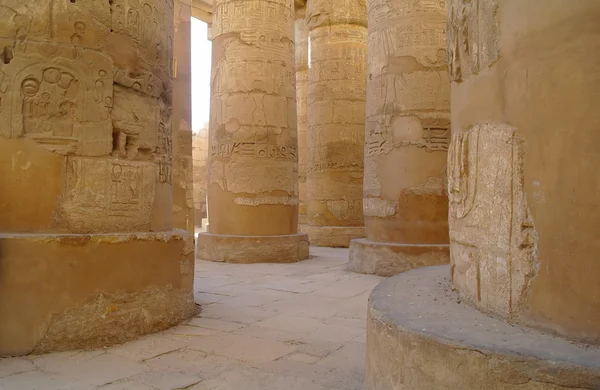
<point>252,249</point>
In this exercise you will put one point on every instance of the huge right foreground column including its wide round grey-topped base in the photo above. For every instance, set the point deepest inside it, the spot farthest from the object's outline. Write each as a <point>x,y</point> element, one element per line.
<point>523,190</point>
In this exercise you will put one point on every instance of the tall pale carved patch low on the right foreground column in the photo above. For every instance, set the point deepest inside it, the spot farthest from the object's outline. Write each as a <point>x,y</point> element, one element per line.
<point>492,236</point>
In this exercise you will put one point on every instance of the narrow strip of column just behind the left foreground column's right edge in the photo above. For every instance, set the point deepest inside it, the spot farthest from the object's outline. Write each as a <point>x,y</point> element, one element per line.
<point>183,183</point>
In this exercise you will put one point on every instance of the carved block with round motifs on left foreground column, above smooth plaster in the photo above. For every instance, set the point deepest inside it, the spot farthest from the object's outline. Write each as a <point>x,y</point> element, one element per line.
<point>64,105</point>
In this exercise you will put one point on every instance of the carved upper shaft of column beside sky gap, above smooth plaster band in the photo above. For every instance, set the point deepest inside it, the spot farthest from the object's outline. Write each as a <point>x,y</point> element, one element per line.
<point>253,140</point>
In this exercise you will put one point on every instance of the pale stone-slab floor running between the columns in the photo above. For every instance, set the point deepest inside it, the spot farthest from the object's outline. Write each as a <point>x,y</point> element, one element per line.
<point>262,326</point>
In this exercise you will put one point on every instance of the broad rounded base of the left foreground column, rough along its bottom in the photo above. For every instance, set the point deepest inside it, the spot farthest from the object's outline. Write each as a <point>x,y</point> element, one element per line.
<point>79,291</point>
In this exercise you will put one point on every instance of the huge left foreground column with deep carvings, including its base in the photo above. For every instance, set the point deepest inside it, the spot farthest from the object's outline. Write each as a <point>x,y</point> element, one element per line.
<point>88,253</point>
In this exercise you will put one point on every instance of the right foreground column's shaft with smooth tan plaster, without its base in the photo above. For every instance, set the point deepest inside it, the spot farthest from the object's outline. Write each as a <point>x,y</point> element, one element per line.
<point>522,164</point>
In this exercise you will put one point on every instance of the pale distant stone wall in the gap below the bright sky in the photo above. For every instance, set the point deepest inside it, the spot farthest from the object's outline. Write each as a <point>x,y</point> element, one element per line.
<point>200,157</point>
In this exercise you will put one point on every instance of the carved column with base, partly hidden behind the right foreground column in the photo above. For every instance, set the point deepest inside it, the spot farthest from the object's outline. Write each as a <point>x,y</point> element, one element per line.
<point>407,134</point>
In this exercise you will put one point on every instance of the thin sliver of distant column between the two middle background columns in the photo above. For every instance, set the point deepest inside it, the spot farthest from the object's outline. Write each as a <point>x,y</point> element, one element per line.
<point>302,100</point>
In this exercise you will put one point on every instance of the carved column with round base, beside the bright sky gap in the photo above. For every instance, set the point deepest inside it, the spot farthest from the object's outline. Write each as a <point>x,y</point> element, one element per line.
<point>253,163</point>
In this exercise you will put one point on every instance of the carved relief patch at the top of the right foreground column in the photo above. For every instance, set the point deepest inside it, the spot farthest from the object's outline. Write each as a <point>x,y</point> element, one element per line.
<point>473,37</point>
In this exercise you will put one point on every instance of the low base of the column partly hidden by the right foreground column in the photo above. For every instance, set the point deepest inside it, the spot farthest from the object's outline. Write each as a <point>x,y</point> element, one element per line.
<point>388,259</point>
